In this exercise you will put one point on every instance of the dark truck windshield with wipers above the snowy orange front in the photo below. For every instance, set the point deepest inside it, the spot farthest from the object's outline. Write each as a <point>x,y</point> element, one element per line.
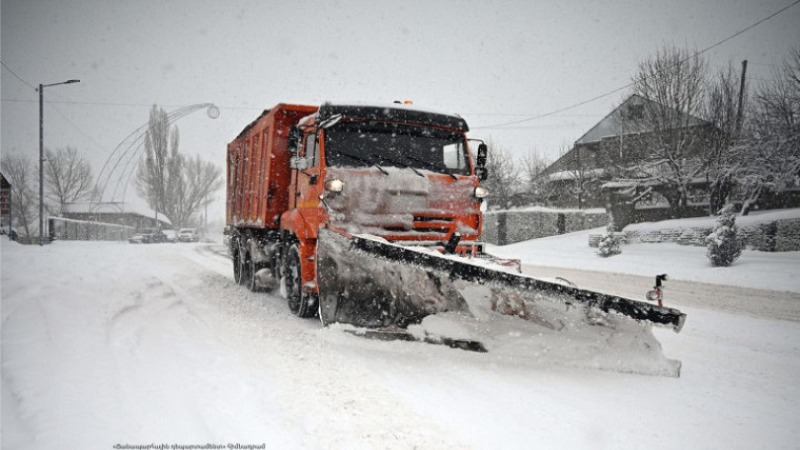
<point>367,144</point>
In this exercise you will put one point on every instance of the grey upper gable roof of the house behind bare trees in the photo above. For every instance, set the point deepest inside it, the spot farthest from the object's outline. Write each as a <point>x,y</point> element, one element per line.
<point>625,119</point>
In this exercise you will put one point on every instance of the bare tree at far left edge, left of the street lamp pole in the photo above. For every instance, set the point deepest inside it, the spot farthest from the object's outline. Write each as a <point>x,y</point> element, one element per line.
<point>20,173</point>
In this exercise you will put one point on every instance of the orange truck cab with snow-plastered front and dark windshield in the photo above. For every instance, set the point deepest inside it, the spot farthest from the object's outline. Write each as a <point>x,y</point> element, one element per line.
<point>391,171</point>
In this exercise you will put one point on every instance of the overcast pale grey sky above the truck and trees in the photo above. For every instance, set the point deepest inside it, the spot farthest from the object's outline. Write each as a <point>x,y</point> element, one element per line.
<point>493,62</point>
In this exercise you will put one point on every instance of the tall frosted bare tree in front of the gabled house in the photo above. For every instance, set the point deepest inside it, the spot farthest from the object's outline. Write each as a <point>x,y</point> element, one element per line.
<point>673,81</point>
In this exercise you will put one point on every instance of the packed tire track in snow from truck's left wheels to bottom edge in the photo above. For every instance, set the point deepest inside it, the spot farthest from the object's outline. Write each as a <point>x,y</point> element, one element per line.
<point>334,404</point>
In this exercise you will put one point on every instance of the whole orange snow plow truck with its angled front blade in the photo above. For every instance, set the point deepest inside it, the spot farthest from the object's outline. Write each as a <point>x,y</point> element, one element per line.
<point>371,216</point>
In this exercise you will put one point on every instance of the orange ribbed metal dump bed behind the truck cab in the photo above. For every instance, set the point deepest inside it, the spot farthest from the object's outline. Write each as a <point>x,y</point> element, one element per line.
<point>258,173</point>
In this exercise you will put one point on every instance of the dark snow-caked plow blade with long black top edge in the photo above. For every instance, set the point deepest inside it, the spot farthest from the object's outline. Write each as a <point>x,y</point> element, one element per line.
<point>361,283</point>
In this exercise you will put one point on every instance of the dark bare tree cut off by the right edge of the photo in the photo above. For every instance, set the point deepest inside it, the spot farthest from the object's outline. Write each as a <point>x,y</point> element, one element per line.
<point>772,152</point>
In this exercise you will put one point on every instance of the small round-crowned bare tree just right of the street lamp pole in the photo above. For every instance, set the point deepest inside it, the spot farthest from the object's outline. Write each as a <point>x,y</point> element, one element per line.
<point>68,176</point>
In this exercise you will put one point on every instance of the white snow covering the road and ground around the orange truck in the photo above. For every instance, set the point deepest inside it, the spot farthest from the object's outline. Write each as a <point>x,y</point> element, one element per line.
<point>111,345</point>
